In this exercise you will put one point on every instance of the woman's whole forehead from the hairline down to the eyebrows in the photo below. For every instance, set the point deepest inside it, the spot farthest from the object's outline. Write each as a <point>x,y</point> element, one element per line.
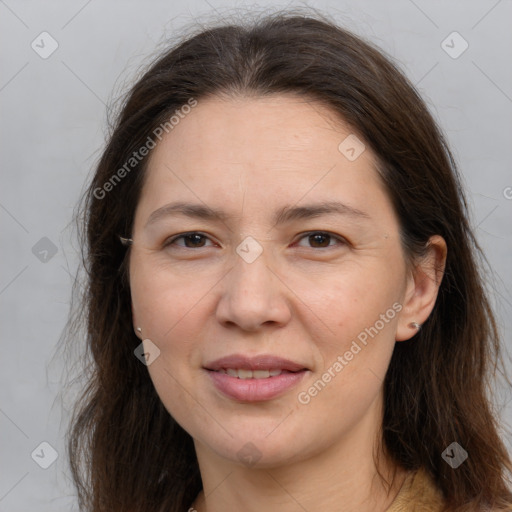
<point>260,151</point>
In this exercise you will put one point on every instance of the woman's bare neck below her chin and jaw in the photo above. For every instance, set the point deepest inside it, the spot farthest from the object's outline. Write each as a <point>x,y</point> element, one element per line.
<point>343,477</point>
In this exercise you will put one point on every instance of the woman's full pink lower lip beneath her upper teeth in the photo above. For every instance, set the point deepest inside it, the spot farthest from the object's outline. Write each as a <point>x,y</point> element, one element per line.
<point>255,390</point>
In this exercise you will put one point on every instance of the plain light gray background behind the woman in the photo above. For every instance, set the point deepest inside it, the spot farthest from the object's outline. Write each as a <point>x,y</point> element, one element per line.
<point>53,121</point>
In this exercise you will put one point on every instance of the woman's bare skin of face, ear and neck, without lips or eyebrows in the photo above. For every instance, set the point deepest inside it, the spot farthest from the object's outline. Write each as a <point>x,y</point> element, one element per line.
<point>302,298</point>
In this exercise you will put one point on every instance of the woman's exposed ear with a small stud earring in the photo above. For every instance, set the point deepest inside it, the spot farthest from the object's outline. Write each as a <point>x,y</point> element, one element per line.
<point>422,288</point>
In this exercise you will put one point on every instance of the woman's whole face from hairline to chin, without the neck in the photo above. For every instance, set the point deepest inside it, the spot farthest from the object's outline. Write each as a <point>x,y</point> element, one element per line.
<point>300,277</point>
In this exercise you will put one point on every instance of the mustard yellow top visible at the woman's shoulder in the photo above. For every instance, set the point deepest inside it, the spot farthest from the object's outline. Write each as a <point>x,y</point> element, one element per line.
<point>418,494</point>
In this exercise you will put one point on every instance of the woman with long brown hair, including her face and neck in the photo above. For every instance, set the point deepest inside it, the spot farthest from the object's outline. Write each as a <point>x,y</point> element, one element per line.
<point>284,308</point>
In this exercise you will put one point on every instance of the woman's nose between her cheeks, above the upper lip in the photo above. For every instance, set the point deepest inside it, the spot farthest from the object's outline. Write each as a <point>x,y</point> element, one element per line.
<point>253,295</point>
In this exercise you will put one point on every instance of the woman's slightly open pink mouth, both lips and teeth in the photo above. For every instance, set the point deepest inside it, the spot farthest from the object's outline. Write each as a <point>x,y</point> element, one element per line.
<point>254,379</point>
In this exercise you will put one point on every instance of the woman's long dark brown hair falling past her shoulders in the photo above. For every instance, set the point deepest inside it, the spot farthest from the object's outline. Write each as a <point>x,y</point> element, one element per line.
<point>126,451</point>
